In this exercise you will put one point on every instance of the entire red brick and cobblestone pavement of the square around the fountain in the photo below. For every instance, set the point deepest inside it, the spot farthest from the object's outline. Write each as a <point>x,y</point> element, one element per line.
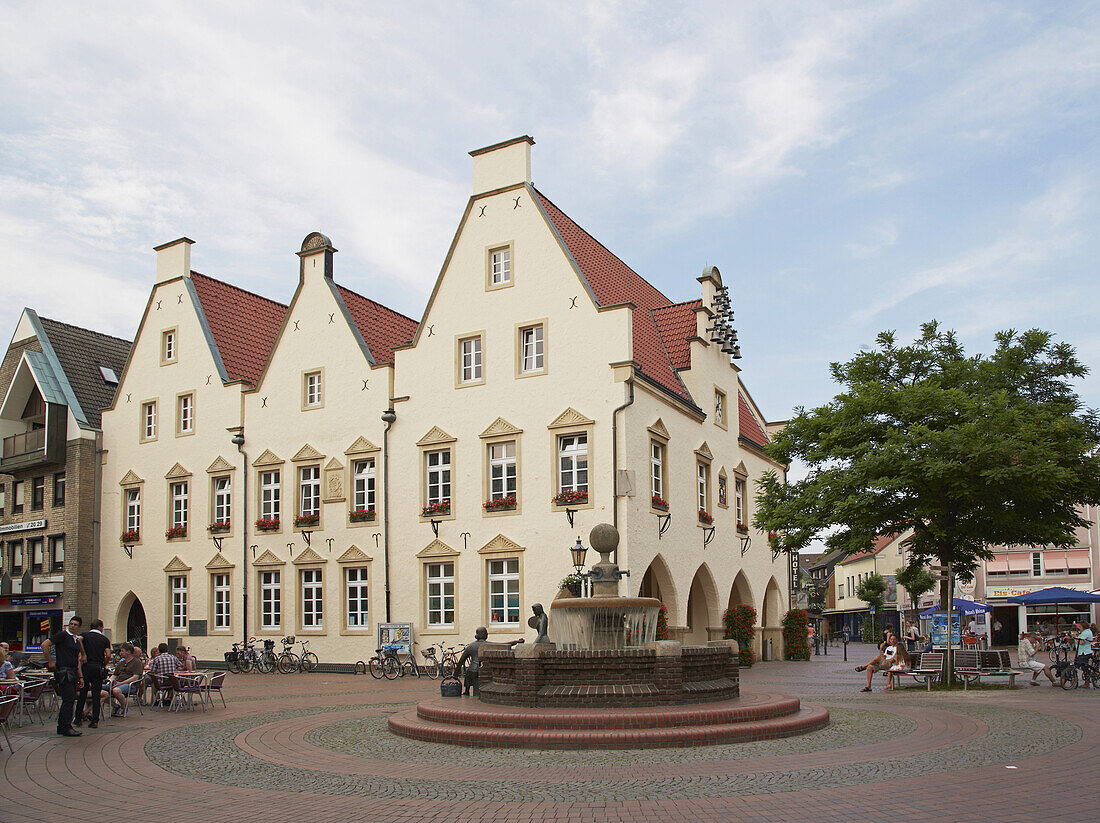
<point>316,749</point>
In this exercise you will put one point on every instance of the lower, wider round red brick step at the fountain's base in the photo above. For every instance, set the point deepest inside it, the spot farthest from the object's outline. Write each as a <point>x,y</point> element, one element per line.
<point>409,725</point>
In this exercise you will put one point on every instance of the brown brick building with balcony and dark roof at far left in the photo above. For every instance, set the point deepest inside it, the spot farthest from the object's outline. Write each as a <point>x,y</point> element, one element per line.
<point>56,380</point>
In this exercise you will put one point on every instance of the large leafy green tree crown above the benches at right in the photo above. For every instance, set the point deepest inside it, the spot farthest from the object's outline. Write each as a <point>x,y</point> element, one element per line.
<point>970,452</point>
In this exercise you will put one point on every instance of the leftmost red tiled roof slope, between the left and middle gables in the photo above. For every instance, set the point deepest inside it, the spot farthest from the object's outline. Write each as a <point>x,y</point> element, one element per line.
<point>244,326</point>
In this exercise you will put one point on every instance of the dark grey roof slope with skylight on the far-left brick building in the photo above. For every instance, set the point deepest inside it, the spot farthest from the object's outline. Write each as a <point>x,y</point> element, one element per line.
<point>81,353</point>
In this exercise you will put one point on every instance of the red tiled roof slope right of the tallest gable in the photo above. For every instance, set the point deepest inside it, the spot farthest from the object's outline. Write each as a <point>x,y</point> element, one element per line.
<point>613,282</point>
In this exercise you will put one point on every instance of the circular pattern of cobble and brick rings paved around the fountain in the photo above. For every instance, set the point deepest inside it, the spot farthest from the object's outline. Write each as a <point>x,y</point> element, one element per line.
<point>969,734</point>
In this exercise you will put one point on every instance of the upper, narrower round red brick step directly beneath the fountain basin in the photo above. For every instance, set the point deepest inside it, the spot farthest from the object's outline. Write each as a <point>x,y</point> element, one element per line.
<point>475,714</point>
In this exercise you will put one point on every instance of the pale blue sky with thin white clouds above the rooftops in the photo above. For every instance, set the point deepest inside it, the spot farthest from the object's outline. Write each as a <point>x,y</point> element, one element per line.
<point>851,168</point>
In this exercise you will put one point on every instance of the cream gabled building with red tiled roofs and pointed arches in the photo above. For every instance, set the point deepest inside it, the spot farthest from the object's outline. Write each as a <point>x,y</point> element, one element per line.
<point>324,468</point>
